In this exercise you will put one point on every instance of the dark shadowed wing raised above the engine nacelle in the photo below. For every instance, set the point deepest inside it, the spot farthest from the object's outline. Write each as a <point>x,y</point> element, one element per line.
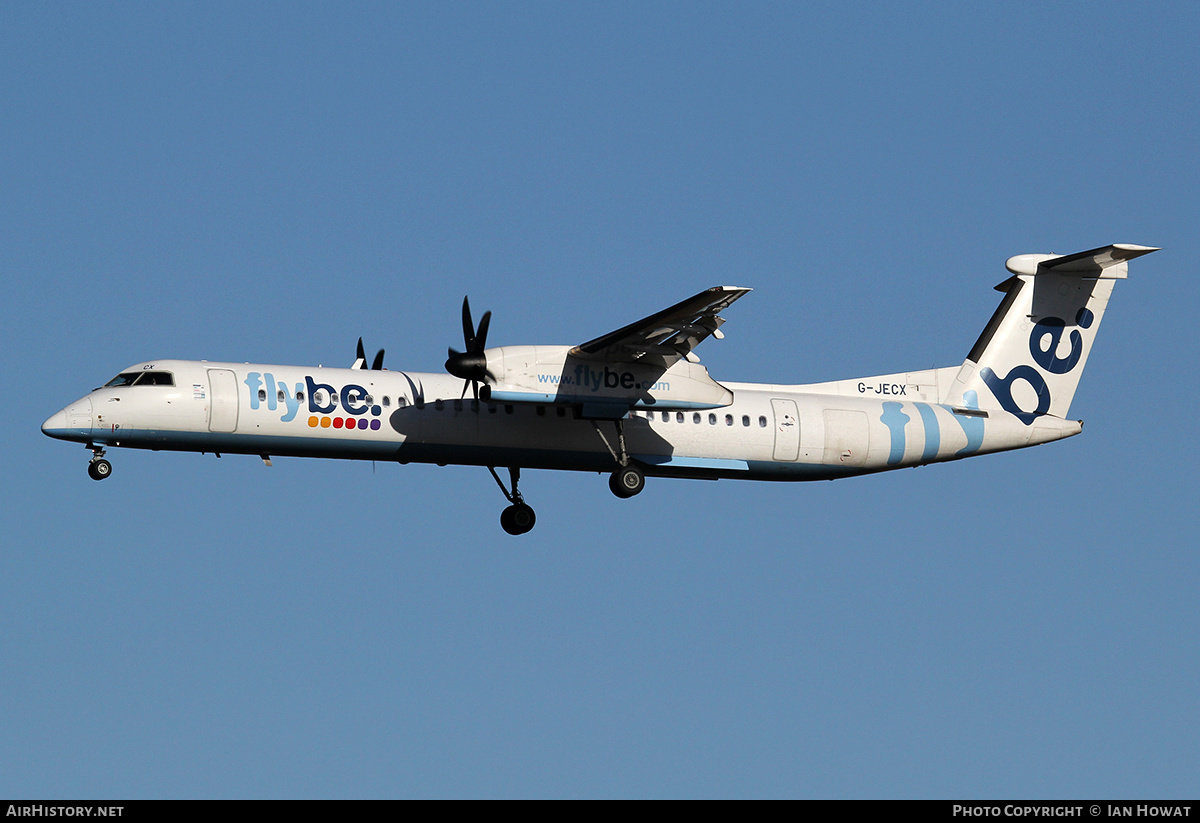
<point>668,337</point>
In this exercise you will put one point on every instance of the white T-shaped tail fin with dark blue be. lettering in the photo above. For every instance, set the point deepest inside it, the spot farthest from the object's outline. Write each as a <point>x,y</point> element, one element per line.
<point>1033,352</point>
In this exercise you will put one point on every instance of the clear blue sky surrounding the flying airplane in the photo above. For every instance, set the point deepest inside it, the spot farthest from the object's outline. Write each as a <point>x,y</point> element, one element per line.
<point>269,182</point>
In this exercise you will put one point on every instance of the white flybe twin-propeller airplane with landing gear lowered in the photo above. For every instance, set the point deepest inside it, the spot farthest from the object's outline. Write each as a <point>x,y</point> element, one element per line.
<point>632,404</point>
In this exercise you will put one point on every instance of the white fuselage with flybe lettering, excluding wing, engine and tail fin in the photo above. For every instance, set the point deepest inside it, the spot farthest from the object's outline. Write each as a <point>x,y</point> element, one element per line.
<point>767,432</point>
